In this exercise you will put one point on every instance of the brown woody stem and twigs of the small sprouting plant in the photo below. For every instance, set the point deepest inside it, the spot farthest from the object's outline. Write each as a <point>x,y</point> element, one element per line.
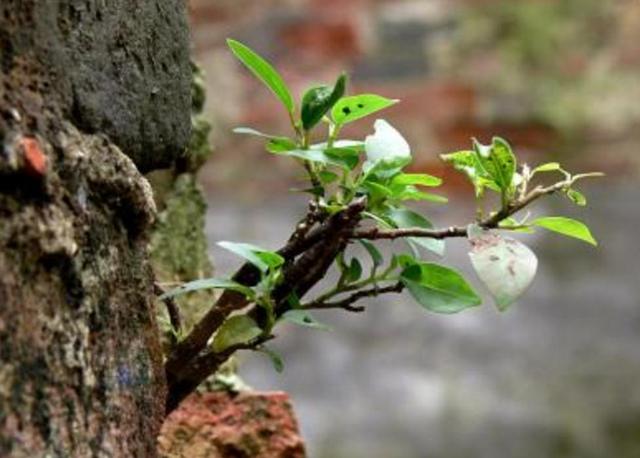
<point>317,239</point>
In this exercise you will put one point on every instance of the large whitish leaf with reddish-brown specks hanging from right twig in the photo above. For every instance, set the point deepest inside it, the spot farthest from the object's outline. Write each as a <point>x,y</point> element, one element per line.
<point>506,267</point>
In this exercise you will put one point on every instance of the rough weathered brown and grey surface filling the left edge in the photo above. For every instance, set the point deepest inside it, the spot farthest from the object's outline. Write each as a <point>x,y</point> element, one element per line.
<point>91,94</point>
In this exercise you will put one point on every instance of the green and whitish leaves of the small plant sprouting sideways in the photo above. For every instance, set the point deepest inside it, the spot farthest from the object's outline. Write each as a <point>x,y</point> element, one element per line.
<point>371,176</point>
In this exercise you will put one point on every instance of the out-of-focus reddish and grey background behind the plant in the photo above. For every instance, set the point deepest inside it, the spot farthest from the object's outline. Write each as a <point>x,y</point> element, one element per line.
<point>558,375</point>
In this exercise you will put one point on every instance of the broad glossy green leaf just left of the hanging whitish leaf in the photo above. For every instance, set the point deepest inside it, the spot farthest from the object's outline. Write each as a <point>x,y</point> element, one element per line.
<point>438,288</point>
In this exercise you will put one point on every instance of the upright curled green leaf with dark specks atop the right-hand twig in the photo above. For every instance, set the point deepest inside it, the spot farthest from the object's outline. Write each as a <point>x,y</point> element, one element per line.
<point>499,162</point>
